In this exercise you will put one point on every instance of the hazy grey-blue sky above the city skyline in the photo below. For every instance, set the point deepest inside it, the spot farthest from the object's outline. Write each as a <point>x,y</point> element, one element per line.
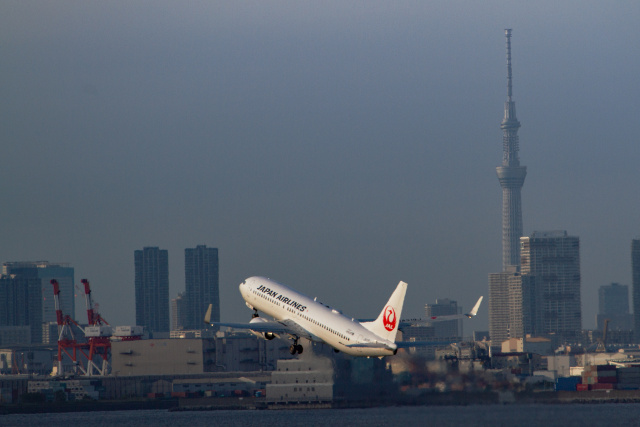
<point>337,147</point>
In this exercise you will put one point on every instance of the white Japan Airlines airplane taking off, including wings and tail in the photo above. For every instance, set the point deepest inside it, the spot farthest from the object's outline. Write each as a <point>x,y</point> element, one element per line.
<point>299,316</point>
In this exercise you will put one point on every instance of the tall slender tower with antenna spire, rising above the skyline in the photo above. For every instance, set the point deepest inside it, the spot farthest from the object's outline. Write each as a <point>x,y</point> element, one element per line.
<point>511,176</point>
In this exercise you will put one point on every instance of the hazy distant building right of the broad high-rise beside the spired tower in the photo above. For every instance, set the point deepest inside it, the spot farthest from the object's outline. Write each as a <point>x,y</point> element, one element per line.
<point>613,304</point>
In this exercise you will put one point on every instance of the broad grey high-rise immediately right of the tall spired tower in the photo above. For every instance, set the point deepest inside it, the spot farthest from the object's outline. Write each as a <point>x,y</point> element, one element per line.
<point>553,260</point>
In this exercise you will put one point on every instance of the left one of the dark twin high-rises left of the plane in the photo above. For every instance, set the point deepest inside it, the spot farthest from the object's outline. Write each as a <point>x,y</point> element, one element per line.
<point>152,288</point>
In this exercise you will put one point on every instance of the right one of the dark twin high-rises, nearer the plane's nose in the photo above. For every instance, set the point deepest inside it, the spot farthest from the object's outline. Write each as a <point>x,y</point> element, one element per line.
<point>201,285</point>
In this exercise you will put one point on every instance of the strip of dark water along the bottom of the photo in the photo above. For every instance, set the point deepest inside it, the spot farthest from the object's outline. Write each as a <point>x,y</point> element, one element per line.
<point>440,416</point>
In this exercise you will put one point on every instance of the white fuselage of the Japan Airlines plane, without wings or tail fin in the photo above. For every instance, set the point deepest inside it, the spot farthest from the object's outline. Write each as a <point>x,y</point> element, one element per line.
<point>320,321</point>
